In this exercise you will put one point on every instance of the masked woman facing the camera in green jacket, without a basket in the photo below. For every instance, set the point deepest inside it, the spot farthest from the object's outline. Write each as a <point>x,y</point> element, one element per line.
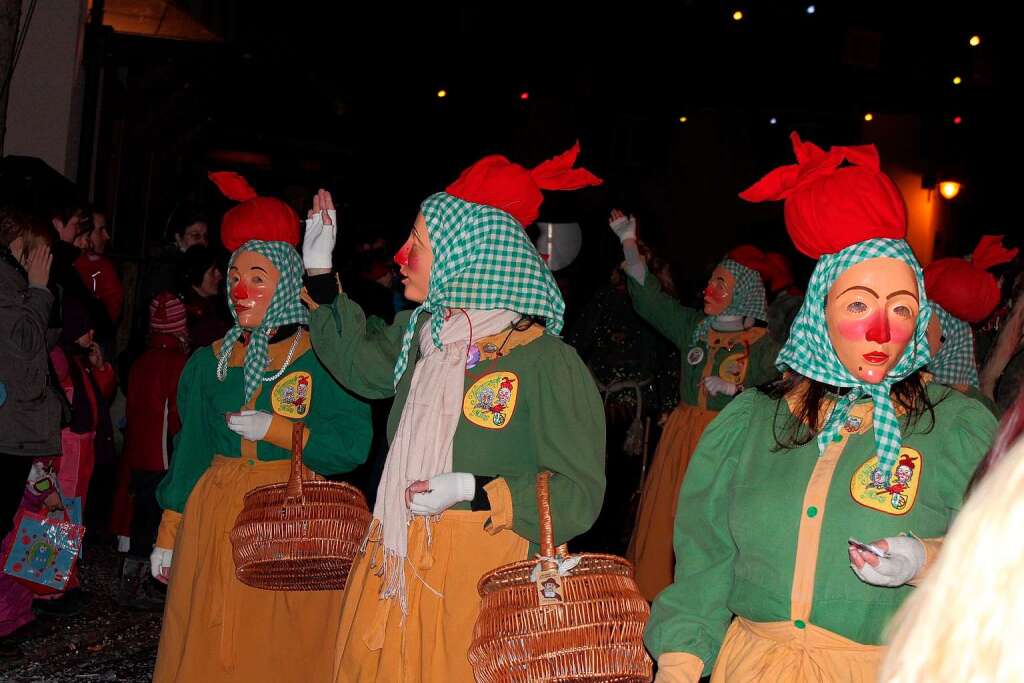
<point>854,443</point>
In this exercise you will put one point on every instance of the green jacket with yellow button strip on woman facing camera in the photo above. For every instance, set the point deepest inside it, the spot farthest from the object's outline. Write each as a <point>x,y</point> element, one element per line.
<point>746,505</point>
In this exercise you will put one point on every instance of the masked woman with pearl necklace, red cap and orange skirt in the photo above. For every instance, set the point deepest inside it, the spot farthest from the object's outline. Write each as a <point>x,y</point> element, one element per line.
<point>237,404</point>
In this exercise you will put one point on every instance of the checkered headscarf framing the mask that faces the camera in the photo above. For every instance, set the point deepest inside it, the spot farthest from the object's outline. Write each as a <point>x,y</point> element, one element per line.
<point>810,353</point>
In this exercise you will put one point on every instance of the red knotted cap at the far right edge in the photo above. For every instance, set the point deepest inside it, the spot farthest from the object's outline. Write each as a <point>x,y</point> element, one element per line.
<point>964,288</point>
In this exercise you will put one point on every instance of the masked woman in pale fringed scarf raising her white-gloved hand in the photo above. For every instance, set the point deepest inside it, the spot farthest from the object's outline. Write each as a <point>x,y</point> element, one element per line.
<point>486,397</point>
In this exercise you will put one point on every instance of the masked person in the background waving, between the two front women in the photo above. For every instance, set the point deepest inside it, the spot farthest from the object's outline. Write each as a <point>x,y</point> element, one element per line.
<point>723,352</point>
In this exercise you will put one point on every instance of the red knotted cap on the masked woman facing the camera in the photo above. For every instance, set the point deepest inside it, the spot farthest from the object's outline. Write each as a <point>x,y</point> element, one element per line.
<point>830,207</point>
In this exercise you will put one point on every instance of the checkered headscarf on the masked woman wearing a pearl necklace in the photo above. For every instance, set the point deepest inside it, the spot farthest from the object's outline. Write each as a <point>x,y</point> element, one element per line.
<point>286,308</point>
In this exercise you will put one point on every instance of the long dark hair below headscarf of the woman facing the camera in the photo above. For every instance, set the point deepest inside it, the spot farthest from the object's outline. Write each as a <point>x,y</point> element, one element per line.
<point>804,423</point>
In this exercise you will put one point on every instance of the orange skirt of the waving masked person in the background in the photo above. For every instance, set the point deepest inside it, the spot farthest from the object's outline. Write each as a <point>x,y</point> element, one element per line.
<point>651,548</point>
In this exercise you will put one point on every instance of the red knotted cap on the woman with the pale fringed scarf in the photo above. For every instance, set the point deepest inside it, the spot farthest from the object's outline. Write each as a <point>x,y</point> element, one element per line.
<point>498,183</point>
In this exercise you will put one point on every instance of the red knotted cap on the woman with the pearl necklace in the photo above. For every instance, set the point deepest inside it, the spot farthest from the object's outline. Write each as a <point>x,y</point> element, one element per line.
<point>257,218</point>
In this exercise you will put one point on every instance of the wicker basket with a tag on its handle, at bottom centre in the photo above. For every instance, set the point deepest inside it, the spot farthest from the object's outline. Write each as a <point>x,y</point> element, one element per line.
<point>592,632</point>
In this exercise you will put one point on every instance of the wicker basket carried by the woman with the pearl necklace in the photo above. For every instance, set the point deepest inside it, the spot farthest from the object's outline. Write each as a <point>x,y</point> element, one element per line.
<point>301,536</point>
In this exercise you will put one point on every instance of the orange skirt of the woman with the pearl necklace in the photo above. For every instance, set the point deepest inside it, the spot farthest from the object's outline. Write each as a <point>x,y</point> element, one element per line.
<point>219,629</point>
